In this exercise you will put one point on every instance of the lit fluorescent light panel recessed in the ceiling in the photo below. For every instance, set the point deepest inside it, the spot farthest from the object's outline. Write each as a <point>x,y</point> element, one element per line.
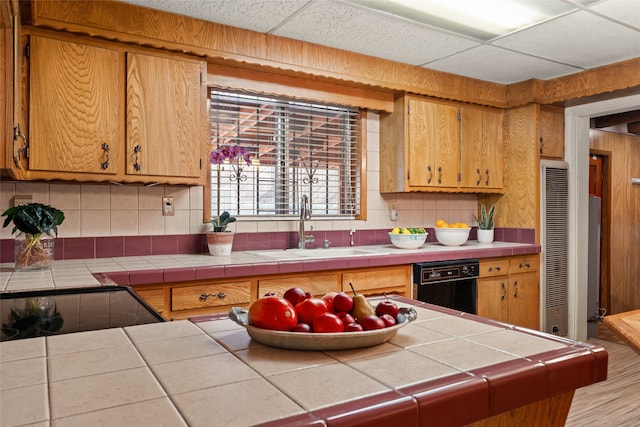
<point>481,19</point>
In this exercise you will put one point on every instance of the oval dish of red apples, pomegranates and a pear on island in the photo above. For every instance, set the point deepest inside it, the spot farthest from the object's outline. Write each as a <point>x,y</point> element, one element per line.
<point>335,321</point>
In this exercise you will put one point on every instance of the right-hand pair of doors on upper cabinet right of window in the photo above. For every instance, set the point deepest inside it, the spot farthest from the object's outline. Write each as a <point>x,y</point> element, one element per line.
<point>481,136</point>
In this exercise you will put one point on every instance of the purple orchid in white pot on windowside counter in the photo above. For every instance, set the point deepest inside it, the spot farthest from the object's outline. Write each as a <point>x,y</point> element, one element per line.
<point>219,239</point>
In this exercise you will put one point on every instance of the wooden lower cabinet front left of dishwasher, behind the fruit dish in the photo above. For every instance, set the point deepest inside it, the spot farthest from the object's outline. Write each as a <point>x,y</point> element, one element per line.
<point>176,301</point>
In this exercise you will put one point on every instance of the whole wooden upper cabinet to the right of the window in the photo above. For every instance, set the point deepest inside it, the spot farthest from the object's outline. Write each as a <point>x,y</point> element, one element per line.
<point>431,145</point>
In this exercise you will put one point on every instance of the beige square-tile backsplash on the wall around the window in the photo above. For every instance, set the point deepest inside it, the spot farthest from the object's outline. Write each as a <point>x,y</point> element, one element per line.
<point>106,210</point>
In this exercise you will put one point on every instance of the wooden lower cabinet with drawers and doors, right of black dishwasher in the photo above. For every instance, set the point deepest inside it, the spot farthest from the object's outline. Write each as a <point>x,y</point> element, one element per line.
<point>509,290</point>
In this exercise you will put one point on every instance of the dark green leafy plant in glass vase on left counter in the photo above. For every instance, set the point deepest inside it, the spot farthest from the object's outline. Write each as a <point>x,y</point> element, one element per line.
<point>35,226</point>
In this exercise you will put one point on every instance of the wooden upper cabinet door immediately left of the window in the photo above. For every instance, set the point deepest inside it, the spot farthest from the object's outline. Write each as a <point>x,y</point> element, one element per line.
<point>164,122</point>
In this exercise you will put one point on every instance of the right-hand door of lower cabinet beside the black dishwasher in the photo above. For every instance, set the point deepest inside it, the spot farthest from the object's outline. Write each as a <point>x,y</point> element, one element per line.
<point>524,300</point>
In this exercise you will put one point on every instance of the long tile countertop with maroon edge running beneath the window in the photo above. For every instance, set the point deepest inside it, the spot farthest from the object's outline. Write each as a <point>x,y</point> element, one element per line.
<point>176,268</point>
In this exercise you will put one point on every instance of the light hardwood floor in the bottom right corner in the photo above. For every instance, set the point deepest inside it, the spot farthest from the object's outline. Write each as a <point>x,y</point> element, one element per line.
<point>616,401</point>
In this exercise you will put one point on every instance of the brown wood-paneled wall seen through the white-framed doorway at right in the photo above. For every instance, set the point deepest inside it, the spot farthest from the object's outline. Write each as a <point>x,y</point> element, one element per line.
<point>624,242</point>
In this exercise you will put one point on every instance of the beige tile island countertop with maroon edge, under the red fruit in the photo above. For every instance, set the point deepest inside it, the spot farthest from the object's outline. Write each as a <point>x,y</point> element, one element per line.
<point>208,371</point>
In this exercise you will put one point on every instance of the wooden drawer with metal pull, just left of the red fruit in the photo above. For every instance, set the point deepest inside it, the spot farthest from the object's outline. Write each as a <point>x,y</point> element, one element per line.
<point>231,293</point>
